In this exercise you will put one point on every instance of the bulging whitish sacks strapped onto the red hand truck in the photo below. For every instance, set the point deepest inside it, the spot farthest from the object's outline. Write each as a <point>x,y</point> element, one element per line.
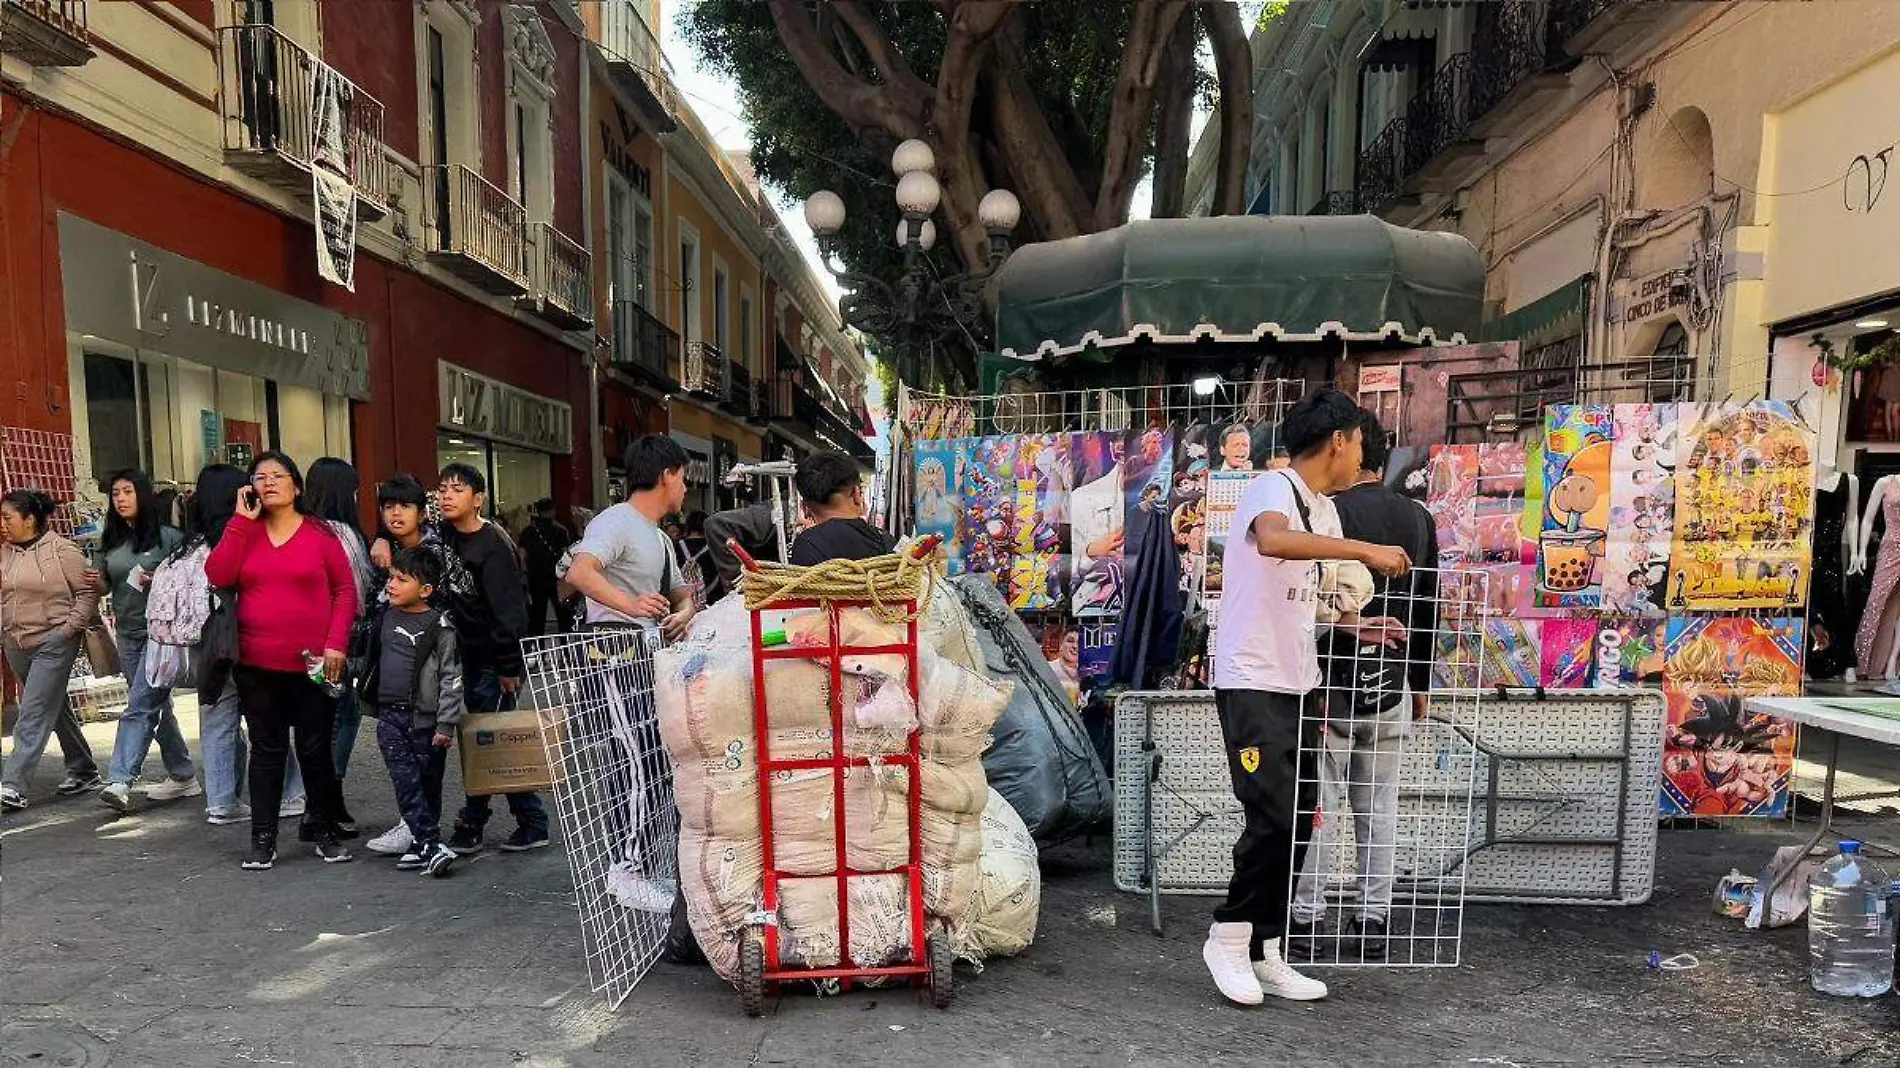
<point>706,717</point>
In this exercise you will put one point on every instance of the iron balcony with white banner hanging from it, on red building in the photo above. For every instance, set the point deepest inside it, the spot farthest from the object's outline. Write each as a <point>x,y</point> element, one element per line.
<point>269,88</point>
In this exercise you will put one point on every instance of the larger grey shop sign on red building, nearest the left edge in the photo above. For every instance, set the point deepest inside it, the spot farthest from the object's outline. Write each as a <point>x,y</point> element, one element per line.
<point>195,313</point>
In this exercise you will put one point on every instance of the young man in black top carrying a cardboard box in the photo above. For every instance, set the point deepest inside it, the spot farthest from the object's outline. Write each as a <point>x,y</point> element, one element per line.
<point>489,632</point>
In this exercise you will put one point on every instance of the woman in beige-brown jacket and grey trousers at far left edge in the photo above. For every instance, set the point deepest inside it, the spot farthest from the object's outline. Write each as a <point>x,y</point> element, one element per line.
<point>45,607</point>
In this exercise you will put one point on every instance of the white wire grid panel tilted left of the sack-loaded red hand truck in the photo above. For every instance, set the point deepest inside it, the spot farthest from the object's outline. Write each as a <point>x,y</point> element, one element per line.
<point>613,790</point>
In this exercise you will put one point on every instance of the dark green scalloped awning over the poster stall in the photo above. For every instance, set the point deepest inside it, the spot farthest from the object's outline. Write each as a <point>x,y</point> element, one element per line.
<point>1240,278</point>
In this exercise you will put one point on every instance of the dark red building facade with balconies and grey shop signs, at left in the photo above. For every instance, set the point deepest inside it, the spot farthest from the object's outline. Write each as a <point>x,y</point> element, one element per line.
<point>174,174</point>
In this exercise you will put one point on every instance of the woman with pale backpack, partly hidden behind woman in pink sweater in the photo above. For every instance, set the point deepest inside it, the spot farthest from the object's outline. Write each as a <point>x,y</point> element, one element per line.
<point>221,734</point>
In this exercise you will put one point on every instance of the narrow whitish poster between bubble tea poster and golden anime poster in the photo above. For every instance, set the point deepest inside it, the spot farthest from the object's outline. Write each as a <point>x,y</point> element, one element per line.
<point>1643,510</point>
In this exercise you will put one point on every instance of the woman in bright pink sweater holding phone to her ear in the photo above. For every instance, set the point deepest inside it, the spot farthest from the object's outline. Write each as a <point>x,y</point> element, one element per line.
<point>295,600</point>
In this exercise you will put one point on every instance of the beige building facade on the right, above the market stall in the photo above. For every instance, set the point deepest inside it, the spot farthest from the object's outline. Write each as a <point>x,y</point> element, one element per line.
<point>1671,199</point>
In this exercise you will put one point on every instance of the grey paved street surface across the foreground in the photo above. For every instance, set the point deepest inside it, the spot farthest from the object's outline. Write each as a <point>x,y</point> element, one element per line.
<point>140,942</point>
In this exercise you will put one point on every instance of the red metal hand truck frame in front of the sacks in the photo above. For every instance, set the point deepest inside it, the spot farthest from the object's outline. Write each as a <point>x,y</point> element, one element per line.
<point>911,759</point>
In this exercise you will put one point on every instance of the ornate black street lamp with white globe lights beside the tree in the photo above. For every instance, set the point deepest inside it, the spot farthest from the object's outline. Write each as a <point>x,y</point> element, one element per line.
<point>922,309</point>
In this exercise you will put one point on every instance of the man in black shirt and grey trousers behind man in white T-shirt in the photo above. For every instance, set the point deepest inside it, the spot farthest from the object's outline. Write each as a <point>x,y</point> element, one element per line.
<point>1369,689</point>
